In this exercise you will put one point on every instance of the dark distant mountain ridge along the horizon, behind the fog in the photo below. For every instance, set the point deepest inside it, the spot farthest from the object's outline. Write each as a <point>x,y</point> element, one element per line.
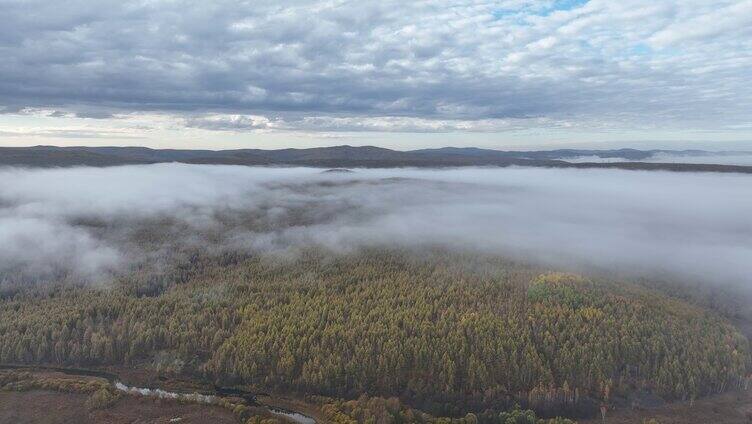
<point>351,156</point>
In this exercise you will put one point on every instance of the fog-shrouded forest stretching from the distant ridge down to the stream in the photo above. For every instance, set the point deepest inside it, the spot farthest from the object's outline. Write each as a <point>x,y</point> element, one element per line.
<point>411,295</point>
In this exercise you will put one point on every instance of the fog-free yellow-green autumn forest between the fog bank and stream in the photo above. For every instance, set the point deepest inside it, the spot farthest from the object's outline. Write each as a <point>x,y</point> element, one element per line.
<point>449,334</point>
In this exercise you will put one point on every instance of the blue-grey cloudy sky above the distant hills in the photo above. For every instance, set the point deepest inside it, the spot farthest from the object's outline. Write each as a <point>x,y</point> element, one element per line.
<point>510,74</point>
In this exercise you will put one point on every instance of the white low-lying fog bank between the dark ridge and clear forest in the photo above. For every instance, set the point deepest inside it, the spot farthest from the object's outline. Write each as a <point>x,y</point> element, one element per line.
<point>89,221</point>
